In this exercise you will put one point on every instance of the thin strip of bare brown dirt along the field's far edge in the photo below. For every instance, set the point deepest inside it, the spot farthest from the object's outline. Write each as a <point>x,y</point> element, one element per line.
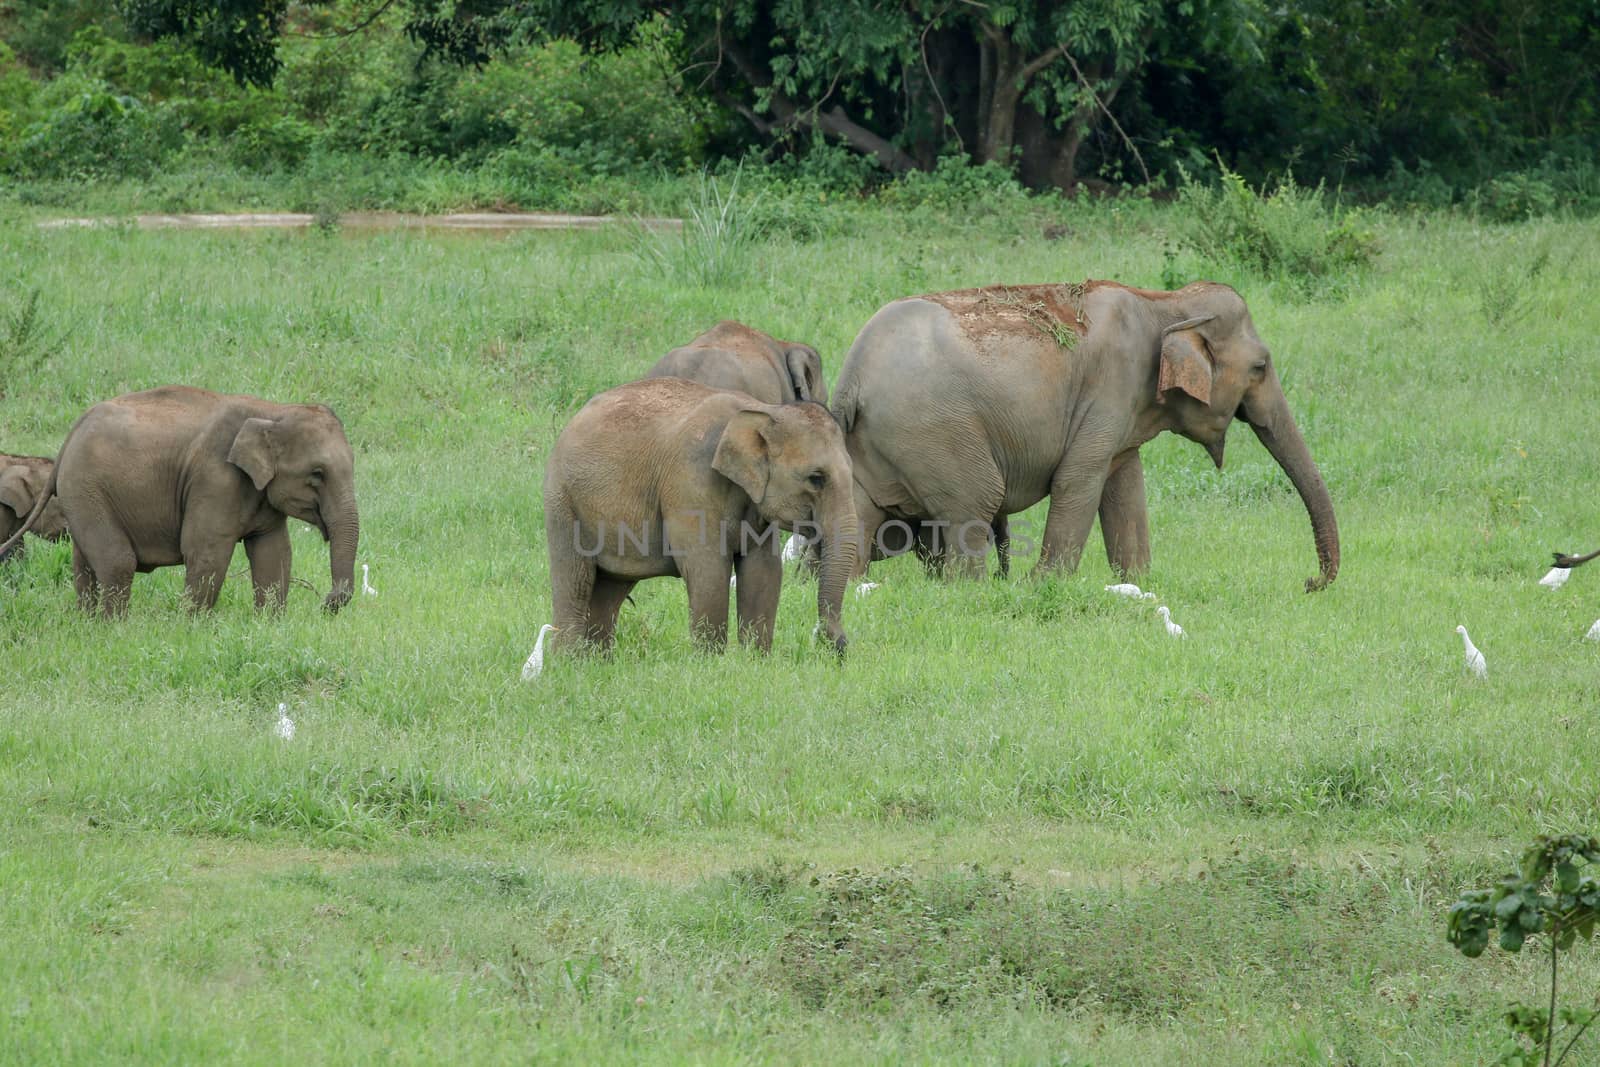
<point>489,222</point>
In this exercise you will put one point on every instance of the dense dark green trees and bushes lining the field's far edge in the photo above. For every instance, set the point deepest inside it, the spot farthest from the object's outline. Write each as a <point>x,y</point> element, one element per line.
<point>1492,105</point>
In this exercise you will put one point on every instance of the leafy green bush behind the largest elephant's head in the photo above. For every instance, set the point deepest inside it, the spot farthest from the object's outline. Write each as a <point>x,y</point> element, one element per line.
<point>1287,233</point>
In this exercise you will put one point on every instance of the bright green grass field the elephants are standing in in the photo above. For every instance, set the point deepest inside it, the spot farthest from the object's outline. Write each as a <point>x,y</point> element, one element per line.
<point>1018,825</point>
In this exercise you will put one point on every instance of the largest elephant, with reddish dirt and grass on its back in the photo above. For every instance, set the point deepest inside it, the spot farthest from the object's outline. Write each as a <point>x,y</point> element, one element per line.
<point>961,409</point>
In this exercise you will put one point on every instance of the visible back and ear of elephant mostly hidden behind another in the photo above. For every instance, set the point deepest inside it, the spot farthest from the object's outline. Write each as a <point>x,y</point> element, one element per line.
<point>734,356</point>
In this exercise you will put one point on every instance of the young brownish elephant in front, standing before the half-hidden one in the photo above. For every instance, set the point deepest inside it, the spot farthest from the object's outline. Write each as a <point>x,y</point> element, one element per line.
<point>668,478</point>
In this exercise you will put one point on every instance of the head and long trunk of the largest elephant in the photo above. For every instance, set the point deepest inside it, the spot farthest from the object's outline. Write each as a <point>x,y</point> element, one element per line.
<point>1215,369</point>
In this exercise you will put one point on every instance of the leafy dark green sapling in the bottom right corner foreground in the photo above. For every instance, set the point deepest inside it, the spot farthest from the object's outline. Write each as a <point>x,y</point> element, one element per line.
<point>1553,895</point>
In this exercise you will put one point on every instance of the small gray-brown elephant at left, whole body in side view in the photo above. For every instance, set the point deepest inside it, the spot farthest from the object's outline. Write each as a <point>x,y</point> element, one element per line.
<point>182,476</point>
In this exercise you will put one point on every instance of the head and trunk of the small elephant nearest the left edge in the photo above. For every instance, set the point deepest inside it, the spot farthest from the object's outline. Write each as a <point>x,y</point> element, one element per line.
<point>305,466</point>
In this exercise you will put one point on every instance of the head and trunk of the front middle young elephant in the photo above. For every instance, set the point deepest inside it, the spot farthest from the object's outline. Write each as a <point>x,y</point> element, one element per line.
<point>791,462</point>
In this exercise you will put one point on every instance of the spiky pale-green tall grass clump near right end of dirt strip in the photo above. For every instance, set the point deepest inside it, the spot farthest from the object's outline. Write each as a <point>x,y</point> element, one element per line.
<point>721,231</point>
